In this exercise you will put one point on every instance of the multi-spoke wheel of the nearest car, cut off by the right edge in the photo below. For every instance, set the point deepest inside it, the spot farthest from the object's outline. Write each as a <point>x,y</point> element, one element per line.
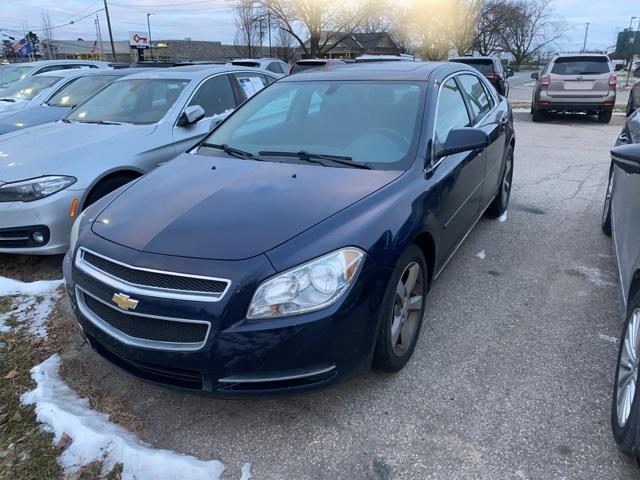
<point>624,408</point>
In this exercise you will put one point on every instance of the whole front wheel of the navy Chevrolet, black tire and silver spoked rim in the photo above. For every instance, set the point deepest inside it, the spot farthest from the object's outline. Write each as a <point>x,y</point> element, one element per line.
<point>402,312</point>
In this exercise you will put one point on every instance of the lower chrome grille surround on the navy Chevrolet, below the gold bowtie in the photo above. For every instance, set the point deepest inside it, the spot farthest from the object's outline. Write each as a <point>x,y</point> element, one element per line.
<point>134,341</point>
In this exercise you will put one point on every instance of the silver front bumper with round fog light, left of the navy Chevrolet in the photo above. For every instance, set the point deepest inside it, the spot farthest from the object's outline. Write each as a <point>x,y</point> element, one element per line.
<point>51,212</point>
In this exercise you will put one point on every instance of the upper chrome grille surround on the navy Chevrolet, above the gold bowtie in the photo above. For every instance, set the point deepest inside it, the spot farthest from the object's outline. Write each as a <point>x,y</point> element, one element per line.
<point>144,290</point>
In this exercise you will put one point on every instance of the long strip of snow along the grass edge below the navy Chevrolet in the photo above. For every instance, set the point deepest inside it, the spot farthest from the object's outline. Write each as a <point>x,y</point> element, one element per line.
<point>94,437</point>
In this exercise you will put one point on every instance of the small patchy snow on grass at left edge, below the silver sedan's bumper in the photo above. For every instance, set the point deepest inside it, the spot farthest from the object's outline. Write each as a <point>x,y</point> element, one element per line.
<point>32,303</point>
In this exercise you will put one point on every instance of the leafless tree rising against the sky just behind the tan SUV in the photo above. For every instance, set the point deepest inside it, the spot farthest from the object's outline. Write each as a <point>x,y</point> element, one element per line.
<point>528,27</point>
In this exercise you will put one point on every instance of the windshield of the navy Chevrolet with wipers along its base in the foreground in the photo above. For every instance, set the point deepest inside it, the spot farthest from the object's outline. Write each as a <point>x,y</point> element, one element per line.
<point>374,123</point>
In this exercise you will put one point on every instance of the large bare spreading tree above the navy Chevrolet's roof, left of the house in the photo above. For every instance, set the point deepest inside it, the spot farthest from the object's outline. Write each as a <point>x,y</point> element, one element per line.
<point>318,26</point>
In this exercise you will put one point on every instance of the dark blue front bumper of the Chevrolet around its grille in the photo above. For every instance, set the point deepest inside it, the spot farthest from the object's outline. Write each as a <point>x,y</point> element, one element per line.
<point>241,357</point>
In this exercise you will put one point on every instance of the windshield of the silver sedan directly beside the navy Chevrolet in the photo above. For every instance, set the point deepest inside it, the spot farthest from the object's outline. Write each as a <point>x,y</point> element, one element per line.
<point>137,101</point>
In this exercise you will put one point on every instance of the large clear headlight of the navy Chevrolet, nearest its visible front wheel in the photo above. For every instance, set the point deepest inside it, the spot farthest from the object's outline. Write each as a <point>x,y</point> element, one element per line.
<point>308,287</point>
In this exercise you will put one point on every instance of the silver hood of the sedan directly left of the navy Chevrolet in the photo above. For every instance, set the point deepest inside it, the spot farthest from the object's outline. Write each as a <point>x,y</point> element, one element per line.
<point>54,148</point>
